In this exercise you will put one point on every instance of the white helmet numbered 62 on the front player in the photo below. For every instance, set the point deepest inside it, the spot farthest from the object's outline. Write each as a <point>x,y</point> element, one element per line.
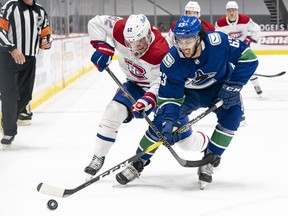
<point>137,27</point>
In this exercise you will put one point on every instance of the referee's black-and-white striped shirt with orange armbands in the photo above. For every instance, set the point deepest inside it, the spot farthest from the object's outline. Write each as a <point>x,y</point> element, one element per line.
<point>22,27</point>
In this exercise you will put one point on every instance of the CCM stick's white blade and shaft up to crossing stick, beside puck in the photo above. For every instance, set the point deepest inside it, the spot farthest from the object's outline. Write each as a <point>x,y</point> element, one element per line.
<point>61,192</point>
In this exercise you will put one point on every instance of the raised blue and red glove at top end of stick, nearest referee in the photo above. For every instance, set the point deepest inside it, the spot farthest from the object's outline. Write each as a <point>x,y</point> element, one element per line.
<point>102,57</point>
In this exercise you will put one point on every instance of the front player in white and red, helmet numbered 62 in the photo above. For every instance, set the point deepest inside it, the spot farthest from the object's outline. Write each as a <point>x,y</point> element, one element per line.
<point>141,48</point>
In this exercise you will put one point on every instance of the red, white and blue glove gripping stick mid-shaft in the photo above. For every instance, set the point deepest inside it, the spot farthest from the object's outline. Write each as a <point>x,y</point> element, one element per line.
<point>146,103</point>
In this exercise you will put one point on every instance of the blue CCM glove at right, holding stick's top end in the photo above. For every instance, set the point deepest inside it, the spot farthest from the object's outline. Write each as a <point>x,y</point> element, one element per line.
<point>230,93</point>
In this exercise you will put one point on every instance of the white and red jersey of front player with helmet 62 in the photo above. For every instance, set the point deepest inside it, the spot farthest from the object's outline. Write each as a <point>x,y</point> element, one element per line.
<point>145,70</point>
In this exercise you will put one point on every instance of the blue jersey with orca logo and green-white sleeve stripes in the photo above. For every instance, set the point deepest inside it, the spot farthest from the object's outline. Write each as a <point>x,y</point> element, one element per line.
<point>222,58</point>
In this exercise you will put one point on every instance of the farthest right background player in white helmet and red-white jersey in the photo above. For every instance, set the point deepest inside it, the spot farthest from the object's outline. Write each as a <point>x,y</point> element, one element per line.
<point>242,27</point>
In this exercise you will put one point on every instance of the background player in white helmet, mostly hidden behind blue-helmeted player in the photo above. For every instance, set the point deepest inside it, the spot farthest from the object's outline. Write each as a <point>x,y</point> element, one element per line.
<point>192,8</point>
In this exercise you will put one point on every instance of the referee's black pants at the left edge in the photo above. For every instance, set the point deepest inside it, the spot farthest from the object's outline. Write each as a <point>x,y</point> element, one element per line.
<point>16,87</point>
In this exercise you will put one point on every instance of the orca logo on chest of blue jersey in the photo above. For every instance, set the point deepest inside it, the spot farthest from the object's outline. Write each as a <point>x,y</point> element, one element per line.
<point>201,80</point>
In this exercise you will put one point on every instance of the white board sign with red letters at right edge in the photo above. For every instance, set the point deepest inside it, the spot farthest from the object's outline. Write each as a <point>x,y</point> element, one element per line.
<point>277,40</point>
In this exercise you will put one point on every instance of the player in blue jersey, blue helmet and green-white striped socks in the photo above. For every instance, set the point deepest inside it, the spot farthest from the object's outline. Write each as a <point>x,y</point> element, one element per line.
<point>201,69</point>
